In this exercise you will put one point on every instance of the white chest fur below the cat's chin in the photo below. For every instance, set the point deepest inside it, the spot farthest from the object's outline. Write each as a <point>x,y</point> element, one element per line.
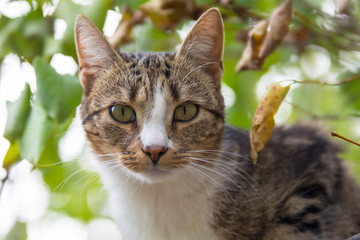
<point>176,209</point>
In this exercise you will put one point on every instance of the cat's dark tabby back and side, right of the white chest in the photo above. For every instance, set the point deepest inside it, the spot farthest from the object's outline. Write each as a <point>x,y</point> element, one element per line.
<point>299,189</point>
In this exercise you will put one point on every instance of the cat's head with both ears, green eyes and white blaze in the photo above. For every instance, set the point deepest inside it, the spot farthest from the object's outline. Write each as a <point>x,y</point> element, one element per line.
<point>150,115</point>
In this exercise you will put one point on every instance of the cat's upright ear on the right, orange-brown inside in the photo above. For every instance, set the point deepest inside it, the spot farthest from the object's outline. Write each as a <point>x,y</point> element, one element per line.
<point>205,43</point>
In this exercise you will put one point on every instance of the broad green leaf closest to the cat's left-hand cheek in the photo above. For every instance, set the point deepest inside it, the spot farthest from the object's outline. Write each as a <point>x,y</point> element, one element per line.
<point>58,94</point>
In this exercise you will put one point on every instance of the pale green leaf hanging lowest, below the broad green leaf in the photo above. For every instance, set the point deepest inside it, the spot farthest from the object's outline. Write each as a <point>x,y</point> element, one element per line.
<point>36,134</point>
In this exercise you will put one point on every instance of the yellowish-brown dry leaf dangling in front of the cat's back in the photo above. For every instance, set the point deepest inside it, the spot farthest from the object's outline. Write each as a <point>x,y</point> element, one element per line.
<point>263,121</point>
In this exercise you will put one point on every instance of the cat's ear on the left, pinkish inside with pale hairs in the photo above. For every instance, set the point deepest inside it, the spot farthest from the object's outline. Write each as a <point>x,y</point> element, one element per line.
<point>94,52</point>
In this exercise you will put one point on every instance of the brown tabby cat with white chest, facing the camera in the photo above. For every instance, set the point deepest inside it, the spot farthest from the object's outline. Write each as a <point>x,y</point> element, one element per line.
<point>174,170</point>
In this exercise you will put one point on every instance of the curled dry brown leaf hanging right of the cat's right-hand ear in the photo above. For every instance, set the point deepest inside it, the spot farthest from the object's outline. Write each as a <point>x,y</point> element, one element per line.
<point>265,37</point>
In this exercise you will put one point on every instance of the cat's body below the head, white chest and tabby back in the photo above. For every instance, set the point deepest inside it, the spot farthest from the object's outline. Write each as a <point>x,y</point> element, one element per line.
<point>301,197</point>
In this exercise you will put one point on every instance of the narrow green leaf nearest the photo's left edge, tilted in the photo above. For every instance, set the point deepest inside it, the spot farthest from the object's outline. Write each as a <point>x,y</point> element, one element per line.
<point>18,112</point>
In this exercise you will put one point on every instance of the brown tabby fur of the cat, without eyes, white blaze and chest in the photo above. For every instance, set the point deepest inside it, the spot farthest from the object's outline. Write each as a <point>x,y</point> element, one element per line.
<point>299,189</point>
